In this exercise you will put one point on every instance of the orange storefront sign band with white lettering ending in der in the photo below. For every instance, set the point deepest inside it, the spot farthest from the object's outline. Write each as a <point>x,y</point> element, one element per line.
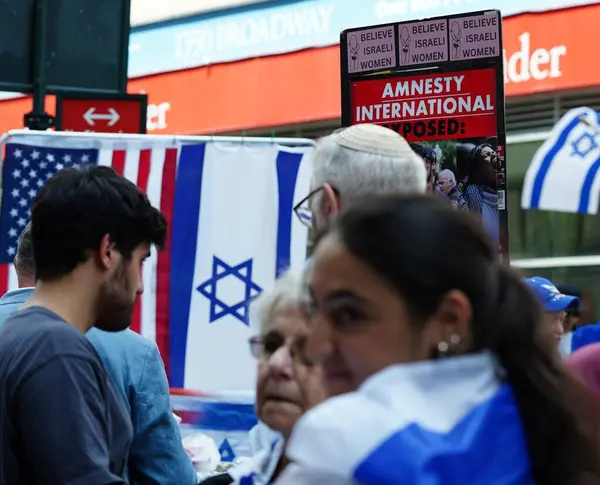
<point>542,52</point>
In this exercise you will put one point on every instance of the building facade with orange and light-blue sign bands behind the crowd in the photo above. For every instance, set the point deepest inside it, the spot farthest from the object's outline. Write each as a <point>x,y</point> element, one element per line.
<point>272,68</point>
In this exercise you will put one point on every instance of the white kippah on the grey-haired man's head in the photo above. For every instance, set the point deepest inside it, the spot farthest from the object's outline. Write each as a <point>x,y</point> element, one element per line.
<point>373,139</point>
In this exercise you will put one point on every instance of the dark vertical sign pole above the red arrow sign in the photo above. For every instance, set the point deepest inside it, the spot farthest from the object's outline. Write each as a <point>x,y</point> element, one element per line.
<point>38,119</point>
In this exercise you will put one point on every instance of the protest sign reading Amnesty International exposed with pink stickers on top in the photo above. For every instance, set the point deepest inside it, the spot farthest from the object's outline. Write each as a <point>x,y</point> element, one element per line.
<point>439,83</point>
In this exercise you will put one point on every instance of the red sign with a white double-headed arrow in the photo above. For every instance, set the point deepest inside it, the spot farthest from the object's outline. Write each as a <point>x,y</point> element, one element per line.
<point>102,115</point>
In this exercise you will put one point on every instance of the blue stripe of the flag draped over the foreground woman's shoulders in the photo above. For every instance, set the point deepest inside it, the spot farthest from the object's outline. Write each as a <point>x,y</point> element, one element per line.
<point>458,457</point>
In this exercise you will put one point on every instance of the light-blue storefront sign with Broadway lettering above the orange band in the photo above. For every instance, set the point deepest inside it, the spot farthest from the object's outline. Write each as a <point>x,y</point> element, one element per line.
<point>279,27</point>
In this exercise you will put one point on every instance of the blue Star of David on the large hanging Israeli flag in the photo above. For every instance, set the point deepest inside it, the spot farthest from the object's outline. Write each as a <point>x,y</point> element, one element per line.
<point>210,289</point>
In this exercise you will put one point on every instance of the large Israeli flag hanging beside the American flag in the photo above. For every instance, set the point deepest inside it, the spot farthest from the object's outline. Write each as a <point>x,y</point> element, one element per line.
<point>233,233</point>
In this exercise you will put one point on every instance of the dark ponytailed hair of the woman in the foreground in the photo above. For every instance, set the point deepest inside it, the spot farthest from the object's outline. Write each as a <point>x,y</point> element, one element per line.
<point>424,249</point>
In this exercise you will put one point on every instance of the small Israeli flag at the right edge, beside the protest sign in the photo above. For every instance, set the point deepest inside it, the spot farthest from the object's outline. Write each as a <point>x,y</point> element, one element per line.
<point>564,173</point>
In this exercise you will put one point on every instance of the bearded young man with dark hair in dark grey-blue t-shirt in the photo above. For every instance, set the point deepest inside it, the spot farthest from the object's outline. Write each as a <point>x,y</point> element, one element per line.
<point>61,419</point>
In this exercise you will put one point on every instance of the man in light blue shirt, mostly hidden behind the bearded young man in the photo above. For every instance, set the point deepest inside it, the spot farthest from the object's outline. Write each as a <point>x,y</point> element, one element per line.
<point>156,454</point>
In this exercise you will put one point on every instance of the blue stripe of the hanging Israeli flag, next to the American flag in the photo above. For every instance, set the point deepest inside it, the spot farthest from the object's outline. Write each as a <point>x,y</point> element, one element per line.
<point>186,215</point>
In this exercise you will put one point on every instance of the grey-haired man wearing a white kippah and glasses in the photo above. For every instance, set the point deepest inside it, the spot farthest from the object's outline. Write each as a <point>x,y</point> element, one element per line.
<point>359,161</point>
